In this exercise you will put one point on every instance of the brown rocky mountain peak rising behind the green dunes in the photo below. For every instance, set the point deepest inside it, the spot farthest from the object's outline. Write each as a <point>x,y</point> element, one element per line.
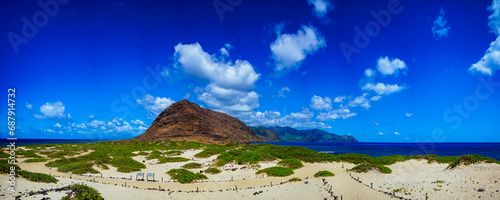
<point>185,120</point>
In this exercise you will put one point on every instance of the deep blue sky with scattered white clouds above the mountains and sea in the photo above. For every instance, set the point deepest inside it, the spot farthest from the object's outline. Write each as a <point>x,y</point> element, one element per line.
<point>381,71</point>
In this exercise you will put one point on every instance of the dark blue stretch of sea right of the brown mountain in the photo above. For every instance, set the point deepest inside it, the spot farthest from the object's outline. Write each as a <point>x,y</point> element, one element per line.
<point>491,150</point>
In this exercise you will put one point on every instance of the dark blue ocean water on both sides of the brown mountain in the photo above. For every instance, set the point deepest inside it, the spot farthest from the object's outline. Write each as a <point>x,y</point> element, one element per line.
<point>375,149</point>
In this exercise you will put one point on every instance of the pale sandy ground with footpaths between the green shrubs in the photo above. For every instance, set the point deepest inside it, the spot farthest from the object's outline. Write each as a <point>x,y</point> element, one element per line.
<point>410,175</point>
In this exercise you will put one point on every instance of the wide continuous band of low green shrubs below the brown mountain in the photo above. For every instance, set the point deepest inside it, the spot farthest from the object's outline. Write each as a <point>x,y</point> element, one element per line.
<point>119,153</point>
